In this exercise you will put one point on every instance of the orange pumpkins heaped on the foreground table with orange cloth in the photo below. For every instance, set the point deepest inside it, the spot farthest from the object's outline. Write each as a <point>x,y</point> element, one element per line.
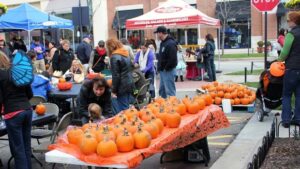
<point>133,129</point>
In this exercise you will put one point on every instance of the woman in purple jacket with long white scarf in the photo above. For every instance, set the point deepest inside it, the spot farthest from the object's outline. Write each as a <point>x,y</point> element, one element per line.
<point>144,59</point>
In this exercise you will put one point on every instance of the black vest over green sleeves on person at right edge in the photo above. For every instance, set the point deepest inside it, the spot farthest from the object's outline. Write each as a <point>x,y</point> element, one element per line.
<point>293,59</point>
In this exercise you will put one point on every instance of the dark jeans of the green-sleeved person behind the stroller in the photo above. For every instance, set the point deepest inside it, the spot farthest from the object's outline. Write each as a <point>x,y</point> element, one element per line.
<point>291,85</point>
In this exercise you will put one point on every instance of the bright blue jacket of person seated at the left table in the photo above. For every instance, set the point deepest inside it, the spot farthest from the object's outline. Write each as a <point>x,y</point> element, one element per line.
<point>41,86</point>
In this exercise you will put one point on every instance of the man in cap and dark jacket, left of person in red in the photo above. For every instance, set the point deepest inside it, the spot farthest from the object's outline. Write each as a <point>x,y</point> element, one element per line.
<point>84,49</point>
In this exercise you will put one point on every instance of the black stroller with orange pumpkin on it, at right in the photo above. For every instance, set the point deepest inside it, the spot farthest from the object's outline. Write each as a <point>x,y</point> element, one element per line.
<point>268,94</point>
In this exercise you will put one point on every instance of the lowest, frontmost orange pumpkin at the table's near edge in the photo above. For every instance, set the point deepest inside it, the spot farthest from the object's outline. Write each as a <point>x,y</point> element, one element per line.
<point>107,148</point>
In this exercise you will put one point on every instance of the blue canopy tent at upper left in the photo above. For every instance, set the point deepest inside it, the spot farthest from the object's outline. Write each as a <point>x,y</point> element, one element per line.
<point>28,18</point>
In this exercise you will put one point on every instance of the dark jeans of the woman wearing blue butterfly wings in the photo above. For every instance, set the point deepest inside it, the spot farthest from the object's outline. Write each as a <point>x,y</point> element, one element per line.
<point>19,131</point>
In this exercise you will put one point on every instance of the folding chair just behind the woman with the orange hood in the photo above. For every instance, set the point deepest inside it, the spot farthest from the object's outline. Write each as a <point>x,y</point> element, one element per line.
<point>144,93</point>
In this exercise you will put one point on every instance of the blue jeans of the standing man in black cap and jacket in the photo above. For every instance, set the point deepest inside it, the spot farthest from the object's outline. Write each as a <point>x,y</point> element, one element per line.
<point>167,84</point>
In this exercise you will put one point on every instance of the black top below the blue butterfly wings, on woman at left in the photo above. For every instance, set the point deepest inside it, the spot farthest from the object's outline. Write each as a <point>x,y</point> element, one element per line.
<point>14,98</point>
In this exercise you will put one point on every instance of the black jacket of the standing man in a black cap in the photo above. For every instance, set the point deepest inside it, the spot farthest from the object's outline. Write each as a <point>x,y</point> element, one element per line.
<point>167,58</point>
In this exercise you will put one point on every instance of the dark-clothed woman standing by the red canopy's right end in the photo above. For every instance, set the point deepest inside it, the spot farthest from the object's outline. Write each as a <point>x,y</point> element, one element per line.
<point>209,54</point>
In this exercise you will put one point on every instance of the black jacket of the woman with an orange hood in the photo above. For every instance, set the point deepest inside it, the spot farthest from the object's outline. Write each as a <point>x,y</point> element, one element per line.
<point>121,70</point>
